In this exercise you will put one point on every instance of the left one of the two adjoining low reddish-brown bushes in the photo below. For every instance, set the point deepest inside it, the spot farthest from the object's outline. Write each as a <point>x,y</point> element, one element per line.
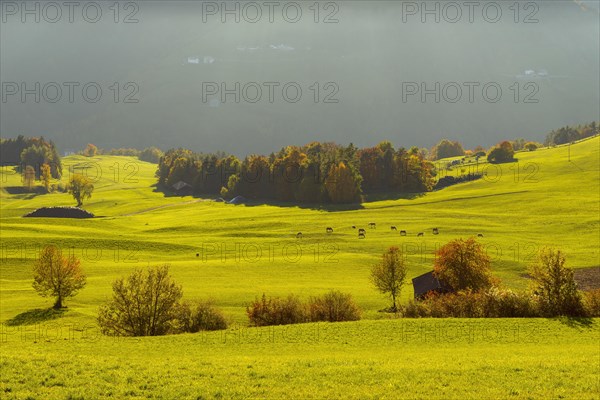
<point>277,311</point>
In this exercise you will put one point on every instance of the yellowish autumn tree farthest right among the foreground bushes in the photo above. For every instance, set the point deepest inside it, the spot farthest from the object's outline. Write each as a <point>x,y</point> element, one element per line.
<point>554,285</point>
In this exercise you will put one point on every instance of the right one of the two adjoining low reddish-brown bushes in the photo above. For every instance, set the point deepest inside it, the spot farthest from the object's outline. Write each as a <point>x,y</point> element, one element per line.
<point>334,306</point>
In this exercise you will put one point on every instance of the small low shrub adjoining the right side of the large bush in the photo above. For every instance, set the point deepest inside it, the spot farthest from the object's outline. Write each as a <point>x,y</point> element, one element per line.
<point>200,316</point>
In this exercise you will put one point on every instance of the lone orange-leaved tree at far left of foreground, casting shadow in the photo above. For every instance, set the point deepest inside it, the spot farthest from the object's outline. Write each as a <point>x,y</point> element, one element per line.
<point>55,275</point>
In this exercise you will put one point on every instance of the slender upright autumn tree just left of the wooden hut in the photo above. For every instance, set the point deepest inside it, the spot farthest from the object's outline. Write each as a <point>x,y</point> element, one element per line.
<point>389,274</point>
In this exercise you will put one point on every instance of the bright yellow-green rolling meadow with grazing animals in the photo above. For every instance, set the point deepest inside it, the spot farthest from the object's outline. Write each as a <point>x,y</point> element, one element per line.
<point>232,254</point>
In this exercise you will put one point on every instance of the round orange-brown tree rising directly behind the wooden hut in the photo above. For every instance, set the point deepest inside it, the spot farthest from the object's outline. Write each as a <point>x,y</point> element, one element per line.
<point>463,264</point>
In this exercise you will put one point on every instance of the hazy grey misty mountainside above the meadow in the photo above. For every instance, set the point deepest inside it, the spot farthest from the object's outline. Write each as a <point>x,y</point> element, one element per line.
<point>367,61</point>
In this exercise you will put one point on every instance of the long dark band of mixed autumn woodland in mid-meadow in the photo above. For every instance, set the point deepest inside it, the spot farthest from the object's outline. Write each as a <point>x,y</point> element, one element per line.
<point>315,173</point>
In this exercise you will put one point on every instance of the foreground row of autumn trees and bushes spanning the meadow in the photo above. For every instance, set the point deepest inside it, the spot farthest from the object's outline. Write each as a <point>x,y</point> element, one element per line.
<point>149,303</point>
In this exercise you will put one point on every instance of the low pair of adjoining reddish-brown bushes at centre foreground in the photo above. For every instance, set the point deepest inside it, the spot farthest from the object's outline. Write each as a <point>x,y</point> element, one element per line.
<point>333,306</point>
